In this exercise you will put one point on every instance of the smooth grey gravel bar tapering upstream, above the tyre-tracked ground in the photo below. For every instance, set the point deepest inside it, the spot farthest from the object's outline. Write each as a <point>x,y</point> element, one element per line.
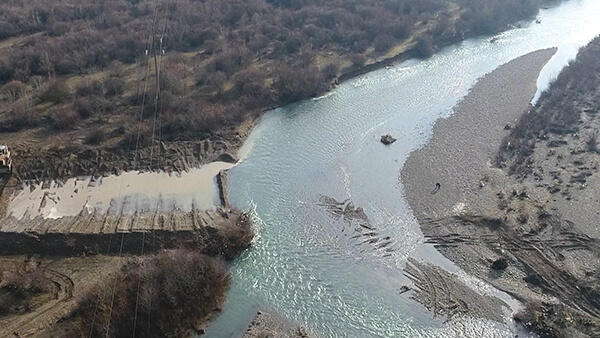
<point>461,150</point>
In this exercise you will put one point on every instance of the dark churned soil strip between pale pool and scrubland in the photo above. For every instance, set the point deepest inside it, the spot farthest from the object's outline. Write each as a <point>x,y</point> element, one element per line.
<point>65,156</point>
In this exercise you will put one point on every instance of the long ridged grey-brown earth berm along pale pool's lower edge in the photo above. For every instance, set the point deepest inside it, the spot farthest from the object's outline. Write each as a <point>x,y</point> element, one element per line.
<point>88,233</point>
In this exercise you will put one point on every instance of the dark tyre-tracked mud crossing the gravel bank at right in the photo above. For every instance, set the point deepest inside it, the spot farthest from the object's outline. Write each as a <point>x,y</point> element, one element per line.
<point>532,252</point>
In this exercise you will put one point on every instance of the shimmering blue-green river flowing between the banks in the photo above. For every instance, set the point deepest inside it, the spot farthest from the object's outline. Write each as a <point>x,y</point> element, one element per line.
<point>305,264</point>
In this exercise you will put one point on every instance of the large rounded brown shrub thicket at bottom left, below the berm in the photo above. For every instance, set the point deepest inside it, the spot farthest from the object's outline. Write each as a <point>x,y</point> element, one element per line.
<point>177,288</point>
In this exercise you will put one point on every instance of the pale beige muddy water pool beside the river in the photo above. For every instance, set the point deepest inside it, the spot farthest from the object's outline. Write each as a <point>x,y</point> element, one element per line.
<point>126,193</point>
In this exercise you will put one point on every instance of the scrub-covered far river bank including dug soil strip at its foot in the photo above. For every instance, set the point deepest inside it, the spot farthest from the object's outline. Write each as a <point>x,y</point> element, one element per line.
<point>219,75</point>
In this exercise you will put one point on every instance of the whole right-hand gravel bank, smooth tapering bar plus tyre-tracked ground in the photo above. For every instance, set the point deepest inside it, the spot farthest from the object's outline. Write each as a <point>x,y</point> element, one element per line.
<point>492,225</point>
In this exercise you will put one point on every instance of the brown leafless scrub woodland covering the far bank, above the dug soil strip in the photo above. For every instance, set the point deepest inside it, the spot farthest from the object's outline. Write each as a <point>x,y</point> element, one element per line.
<point>80,65</point>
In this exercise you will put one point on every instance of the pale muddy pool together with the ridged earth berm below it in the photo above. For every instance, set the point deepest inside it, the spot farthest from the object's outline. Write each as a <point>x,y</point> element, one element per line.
<point>141,211</point>
